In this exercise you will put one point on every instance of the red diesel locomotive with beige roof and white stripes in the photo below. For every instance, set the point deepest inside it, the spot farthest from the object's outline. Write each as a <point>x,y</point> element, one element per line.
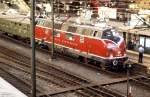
<point>101,45</point>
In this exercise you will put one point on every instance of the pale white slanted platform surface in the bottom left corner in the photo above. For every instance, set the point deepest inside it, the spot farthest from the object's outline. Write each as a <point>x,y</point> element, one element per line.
<point>8,90</point>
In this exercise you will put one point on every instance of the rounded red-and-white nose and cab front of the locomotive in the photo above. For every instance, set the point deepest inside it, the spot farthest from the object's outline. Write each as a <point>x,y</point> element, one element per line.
<point>116,49</point>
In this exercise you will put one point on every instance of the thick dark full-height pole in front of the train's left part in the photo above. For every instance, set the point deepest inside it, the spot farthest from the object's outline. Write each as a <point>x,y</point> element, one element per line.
<point>33,65</point>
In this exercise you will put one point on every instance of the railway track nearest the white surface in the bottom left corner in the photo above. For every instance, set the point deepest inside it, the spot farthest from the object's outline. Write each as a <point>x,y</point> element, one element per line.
<point>20,74</point>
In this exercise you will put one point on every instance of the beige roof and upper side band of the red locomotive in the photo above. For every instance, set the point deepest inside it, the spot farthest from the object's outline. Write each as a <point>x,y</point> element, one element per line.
<point>69,25</point>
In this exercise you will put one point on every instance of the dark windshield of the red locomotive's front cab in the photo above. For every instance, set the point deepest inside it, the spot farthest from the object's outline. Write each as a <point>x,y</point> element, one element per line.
<point>111,35</point>
